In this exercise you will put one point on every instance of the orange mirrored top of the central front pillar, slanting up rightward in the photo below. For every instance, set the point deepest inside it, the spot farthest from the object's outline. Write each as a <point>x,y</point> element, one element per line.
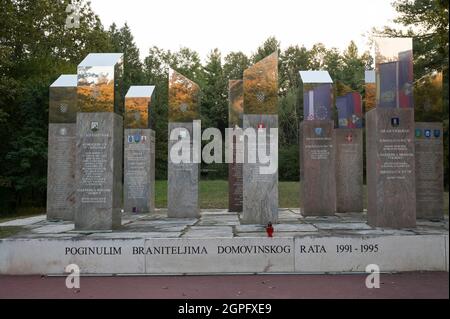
<point>261,86</point>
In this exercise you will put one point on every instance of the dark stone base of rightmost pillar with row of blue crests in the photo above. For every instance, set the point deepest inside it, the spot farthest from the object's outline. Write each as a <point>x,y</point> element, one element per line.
<point>429,154</point>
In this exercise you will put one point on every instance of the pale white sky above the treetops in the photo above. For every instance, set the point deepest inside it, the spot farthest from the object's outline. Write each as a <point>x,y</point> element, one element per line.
<point>243,25</point>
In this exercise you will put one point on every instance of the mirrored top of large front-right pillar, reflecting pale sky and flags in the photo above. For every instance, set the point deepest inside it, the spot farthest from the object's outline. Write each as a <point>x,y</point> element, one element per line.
<point>394,72</point>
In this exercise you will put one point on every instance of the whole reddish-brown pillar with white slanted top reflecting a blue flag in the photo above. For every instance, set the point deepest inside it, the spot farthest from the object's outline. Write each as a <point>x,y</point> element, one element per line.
<point>316,141</point>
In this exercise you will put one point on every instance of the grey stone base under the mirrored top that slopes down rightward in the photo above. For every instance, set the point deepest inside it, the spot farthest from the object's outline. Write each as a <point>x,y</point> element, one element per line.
<point>183,179</point>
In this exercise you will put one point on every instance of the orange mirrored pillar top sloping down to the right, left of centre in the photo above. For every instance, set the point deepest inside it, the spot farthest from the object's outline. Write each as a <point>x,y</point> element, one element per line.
<point>184,98</point>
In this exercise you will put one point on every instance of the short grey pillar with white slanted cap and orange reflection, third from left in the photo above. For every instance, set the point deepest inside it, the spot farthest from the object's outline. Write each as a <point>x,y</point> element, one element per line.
<point>139,151</point>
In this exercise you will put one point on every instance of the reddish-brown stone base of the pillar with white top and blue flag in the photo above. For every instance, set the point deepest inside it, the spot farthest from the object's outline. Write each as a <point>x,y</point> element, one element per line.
<point>317,167</point>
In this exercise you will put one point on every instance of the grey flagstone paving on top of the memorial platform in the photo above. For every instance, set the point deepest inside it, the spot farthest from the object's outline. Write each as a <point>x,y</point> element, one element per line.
<point>221,223</point>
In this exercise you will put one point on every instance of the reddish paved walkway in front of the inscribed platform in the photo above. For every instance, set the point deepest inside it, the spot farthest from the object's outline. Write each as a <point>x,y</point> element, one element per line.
<point>402,285</point>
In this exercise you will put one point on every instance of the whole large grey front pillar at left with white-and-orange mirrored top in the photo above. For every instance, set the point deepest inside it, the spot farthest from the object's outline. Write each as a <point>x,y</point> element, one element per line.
<point>99,149</point>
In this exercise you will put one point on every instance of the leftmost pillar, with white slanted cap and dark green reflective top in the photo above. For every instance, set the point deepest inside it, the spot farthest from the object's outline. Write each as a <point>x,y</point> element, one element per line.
<point>61,149</point>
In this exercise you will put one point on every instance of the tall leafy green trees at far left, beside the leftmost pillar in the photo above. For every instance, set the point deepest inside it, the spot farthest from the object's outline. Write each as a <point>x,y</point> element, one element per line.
<point>35,48</point>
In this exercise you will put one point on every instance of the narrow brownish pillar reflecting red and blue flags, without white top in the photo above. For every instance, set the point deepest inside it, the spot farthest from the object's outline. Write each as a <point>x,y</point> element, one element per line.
<point>349,154</point>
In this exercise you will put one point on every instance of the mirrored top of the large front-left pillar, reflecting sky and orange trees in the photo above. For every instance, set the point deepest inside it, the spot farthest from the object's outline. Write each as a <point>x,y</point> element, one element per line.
<point>100,83</point>
